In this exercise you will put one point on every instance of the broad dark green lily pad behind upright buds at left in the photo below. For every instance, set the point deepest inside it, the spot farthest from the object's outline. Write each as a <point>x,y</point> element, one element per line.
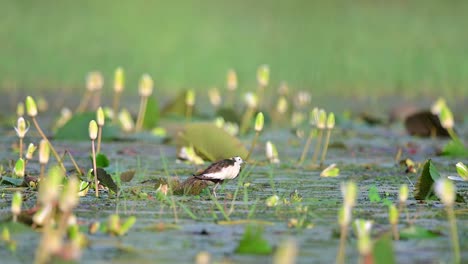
<point>77,128</point>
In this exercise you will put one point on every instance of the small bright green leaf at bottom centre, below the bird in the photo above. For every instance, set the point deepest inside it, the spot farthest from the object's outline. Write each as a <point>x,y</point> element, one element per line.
<point>252,242</point>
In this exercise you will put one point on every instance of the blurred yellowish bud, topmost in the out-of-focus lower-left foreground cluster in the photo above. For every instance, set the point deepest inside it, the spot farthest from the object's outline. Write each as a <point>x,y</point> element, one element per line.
<point>49,189</point>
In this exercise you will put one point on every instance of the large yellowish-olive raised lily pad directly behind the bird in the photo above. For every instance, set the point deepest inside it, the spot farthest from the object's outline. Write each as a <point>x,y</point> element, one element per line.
<point>211,142</point>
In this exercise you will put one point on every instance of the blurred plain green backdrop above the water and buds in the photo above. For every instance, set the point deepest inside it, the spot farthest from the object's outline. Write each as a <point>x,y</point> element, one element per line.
<point>329,47</point>
